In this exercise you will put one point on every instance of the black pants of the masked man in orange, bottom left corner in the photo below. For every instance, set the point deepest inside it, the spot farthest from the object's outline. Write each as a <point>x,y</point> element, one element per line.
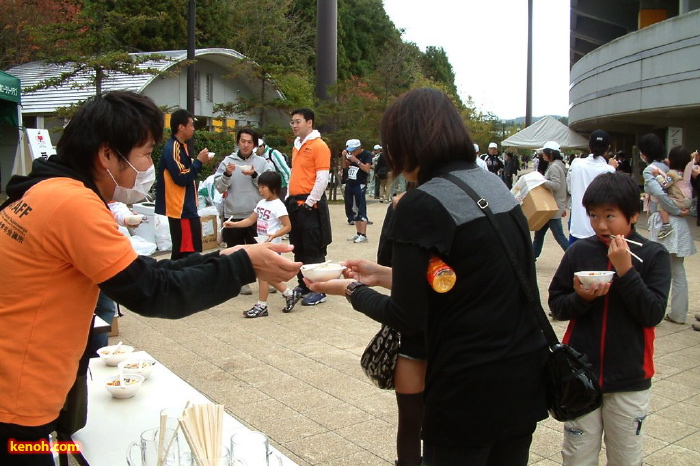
<point>25,434</point>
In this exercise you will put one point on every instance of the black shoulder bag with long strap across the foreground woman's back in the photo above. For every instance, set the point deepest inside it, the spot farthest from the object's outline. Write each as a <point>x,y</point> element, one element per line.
<point>573,388</point>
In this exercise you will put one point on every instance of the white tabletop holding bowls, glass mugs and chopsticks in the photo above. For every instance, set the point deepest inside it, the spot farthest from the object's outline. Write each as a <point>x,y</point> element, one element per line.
<point>113,424</point>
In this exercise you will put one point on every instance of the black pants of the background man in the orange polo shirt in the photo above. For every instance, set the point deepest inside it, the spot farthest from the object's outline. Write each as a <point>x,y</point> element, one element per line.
<point>306,238</point>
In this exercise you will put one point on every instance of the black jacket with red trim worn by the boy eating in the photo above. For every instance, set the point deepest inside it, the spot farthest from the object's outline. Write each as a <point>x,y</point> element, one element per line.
<point>616,331</point>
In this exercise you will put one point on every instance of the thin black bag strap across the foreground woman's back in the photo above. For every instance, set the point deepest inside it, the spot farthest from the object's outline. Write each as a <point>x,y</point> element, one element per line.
<point>535,304</point>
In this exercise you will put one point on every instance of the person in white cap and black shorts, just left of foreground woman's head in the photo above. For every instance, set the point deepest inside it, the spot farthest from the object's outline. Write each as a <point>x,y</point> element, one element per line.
<point>358,162</point>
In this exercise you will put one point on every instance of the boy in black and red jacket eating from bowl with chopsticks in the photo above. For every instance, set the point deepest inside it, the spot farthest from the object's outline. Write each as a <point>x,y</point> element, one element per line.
<point>612,323</point>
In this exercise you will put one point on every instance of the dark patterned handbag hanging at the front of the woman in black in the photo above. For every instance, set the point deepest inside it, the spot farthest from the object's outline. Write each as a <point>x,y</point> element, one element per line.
<point>379,358</point>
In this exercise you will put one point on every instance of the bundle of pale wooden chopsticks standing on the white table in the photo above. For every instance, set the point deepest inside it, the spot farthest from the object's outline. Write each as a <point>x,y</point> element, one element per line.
<point>202,426</point>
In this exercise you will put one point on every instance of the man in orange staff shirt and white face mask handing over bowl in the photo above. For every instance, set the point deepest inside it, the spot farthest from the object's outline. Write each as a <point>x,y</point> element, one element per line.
<point>60,246</point>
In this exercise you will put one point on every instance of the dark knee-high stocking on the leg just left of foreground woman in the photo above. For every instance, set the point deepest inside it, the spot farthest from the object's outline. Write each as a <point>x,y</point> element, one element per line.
<point>408,444</point>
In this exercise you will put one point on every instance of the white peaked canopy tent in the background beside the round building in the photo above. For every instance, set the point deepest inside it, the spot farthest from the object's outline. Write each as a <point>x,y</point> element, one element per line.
<point>543,130</point>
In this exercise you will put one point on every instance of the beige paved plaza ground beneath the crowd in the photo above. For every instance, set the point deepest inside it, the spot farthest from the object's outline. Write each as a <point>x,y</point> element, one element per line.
<point>297,376</point>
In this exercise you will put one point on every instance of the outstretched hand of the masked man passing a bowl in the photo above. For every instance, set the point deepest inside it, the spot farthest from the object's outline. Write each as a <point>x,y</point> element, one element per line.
<point>269,266</point>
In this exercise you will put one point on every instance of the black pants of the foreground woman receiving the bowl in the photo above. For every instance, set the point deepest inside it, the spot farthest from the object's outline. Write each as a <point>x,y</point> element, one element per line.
<point>511,450</point>
